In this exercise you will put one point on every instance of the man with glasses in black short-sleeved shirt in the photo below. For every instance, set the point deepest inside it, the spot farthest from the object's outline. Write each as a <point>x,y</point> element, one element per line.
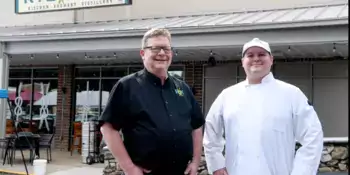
<point>159,118</point>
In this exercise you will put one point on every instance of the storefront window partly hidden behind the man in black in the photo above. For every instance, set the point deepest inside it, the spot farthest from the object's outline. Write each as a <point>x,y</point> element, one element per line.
<point>94,84</point>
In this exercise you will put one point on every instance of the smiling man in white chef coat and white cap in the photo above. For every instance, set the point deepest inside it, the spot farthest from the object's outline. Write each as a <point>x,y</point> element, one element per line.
<point>262,118</point>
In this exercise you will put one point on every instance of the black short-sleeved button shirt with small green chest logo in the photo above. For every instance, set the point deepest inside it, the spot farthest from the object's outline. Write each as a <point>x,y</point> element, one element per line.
<point>156,120</point>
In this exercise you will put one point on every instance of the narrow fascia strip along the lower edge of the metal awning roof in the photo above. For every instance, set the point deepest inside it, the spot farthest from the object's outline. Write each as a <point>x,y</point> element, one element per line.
<point>100,34</point>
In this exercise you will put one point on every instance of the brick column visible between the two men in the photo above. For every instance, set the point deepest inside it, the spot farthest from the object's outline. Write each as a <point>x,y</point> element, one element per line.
<point>194,75</point>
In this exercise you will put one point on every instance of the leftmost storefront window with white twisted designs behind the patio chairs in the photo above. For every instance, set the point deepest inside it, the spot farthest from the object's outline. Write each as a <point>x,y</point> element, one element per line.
<point>33,97</point>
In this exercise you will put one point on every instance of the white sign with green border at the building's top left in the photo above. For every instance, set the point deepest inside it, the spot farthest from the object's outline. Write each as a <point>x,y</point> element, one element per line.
<point>31,6</point>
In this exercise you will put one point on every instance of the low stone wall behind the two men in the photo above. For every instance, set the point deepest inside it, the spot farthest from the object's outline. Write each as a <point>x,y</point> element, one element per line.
<point>334,159</point>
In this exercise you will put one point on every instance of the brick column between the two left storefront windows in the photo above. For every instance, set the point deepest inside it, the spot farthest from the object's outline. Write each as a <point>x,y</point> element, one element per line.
<point>64,112</point>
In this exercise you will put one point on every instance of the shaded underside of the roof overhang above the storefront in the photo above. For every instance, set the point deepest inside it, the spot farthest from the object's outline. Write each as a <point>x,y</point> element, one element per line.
<point>295,36</point>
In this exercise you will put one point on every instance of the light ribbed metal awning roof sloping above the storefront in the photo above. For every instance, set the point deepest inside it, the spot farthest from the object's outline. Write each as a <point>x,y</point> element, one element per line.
<point>335,14</point>
